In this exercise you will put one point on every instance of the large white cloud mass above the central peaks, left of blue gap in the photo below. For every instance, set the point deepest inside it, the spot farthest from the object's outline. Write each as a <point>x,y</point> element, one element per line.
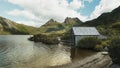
<point>41,11</point>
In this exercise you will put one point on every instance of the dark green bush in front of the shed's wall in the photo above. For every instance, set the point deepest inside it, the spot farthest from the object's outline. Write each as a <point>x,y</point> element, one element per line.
<point>93,43</point>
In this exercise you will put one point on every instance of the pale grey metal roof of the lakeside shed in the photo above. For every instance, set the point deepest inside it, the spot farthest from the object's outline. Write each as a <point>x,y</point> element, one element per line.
<point>85,31</point>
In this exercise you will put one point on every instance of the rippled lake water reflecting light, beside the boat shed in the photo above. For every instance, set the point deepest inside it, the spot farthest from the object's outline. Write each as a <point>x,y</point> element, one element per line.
<point>16,51</point>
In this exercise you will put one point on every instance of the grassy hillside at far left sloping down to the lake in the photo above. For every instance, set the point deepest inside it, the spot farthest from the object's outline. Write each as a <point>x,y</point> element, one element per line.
<point>10,27</point>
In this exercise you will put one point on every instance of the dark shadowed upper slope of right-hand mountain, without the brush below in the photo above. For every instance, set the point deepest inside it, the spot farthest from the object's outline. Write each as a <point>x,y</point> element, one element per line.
<point>106,18</point>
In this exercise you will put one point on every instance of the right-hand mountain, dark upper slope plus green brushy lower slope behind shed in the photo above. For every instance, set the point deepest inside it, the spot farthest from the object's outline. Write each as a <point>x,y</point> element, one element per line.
<point>108,23</point>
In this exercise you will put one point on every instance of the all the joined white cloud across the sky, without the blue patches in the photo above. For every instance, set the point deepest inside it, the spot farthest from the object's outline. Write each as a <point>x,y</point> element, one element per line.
<point>40,11</point>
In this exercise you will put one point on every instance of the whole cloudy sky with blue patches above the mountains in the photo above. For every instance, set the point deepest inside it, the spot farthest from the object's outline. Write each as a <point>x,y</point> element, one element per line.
<point>38,12</point>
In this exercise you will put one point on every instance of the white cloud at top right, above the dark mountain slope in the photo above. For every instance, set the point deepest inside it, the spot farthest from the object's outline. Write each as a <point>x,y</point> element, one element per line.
<point>104,6</point>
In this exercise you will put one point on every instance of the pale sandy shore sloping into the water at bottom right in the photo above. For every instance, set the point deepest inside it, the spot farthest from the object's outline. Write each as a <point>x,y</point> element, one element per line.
<point>94,61</point>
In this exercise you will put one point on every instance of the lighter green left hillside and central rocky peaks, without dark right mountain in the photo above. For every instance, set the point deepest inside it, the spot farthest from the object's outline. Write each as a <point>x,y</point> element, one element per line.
<point>10,27</point>
